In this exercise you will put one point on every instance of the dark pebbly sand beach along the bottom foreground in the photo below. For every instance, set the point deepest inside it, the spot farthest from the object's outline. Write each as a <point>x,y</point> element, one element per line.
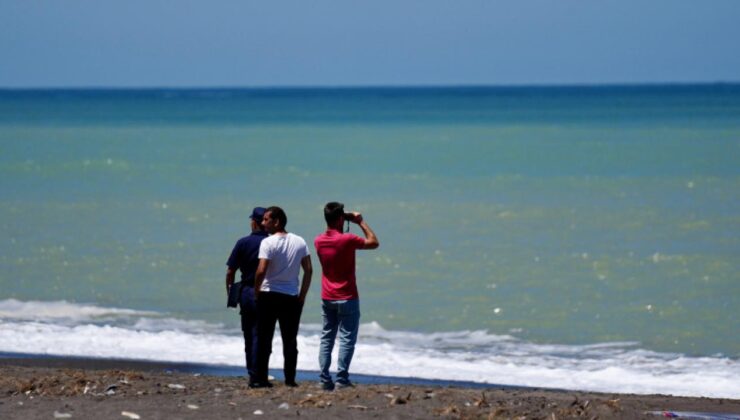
<point>112,389</point>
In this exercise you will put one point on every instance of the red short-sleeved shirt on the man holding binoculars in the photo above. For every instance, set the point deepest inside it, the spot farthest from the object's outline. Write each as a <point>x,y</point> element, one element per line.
<point>336,252</point>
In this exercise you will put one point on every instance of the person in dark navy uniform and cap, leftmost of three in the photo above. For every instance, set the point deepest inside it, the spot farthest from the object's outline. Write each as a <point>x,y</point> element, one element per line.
<point>244,257</point>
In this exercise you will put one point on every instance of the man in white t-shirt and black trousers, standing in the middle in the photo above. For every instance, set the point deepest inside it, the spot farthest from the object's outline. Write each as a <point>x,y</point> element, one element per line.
<point>279,298</point>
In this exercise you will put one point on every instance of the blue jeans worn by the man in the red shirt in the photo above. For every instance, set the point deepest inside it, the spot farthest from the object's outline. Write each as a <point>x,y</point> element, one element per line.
<point>341,316</point>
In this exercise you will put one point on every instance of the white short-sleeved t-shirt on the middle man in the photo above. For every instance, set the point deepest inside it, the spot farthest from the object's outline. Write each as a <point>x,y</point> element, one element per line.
<point>285,252</point>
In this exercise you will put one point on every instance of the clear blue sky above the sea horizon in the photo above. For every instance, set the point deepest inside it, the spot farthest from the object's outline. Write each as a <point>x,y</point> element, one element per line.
<point>225,43</point>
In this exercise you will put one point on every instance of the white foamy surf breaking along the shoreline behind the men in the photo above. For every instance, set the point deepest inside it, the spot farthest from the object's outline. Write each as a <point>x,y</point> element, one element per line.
<point>462,355</point>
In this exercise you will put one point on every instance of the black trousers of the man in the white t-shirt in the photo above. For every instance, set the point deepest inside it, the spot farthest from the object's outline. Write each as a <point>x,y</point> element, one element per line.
<point>277,307</point>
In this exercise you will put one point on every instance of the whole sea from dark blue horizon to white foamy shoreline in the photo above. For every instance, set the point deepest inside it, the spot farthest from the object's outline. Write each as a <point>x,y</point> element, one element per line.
<point>569,237</point>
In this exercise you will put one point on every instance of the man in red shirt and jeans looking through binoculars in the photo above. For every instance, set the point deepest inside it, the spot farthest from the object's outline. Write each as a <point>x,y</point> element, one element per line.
<point>340,300</point>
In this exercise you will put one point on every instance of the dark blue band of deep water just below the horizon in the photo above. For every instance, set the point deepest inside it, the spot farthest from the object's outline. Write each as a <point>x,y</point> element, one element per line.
<point>605,105</point>
